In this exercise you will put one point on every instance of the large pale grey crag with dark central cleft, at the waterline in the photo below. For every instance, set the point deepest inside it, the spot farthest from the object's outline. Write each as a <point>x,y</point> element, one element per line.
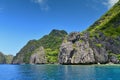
<point>76,50</point>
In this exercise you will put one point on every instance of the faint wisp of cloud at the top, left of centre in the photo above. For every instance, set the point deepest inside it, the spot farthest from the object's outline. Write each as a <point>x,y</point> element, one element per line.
<point>43,4</point>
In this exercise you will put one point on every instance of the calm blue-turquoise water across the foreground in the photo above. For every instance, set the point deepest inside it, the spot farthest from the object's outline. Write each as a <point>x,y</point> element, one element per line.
<point>59,72</point>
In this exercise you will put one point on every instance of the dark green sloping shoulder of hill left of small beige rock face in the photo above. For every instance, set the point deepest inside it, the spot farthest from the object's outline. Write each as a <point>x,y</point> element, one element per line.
<point>26,51</point>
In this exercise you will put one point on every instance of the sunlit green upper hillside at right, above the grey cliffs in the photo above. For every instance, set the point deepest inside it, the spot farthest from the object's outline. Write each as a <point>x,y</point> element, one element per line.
<point>109,24</point>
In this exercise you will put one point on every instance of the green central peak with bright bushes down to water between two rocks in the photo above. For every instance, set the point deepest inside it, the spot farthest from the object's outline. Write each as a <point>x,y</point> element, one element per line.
<point>51,43</point>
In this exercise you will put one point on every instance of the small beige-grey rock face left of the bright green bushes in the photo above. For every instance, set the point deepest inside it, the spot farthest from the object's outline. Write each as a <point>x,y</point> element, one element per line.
<point>38,57</point>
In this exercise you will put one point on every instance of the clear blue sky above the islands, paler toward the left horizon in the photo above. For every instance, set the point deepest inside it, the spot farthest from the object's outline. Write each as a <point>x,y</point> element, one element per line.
<point>24,20</point>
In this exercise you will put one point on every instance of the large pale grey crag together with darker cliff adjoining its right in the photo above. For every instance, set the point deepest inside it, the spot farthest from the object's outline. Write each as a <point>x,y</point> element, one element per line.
<point>81,49</point>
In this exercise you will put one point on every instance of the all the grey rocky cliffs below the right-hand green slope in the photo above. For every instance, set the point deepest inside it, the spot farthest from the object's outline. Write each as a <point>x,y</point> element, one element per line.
<point>80,48</point>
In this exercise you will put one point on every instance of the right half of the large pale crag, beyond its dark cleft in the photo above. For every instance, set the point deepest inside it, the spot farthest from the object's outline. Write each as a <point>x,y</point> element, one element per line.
<point>83,53</point>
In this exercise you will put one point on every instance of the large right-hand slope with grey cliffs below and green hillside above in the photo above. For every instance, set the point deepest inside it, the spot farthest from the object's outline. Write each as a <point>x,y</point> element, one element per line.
<point>100,43</point>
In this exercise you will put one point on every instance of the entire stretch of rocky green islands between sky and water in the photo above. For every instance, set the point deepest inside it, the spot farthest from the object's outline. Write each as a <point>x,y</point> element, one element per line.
<point>99,44</point>
